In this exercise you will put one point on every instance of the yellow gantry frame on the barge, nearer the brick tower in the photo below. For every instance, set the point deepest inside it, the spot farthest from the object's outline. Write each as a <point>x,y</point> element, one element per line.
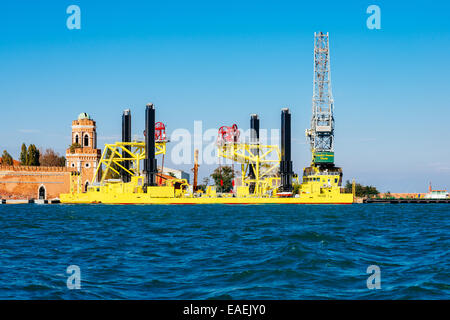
<point>134,150</point>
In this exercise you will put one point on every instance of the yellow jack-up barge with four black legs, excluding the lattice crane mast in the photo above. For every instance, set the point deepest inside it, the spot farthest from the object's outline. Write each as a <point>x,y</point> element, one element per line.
<point>264,180</point>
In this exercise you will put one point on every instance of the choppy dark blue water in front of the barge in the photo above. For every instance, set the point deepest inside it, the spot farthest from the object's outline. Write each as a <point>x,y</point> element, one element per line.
<point>224,251</point>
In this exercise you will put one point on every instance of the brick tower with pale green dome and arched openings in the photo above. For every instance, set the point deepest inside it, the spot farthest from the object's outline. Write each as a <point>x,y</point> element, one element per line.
<point>83,154</point>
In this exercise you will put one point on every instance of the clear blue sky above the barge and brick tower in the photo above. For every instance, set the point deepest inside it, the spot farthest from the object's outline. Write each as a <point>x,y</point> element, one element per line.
<point>219,61</point>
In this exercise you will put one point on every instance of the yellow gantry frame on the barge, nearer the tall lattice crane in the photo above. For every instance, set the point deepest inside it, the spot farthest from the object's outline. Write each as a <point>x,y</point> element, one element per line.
<point>256,155</point>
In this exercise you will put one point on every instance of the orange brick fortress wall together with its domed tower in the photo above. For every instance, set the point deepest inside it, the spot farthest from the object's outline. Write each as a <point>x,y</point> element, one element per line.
<point>28,182</point>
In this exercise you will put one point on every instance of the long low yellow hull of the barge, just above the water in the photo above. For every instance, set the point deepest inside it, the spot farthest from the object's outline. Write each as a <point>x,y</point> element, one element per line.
<point>320,191</point>
